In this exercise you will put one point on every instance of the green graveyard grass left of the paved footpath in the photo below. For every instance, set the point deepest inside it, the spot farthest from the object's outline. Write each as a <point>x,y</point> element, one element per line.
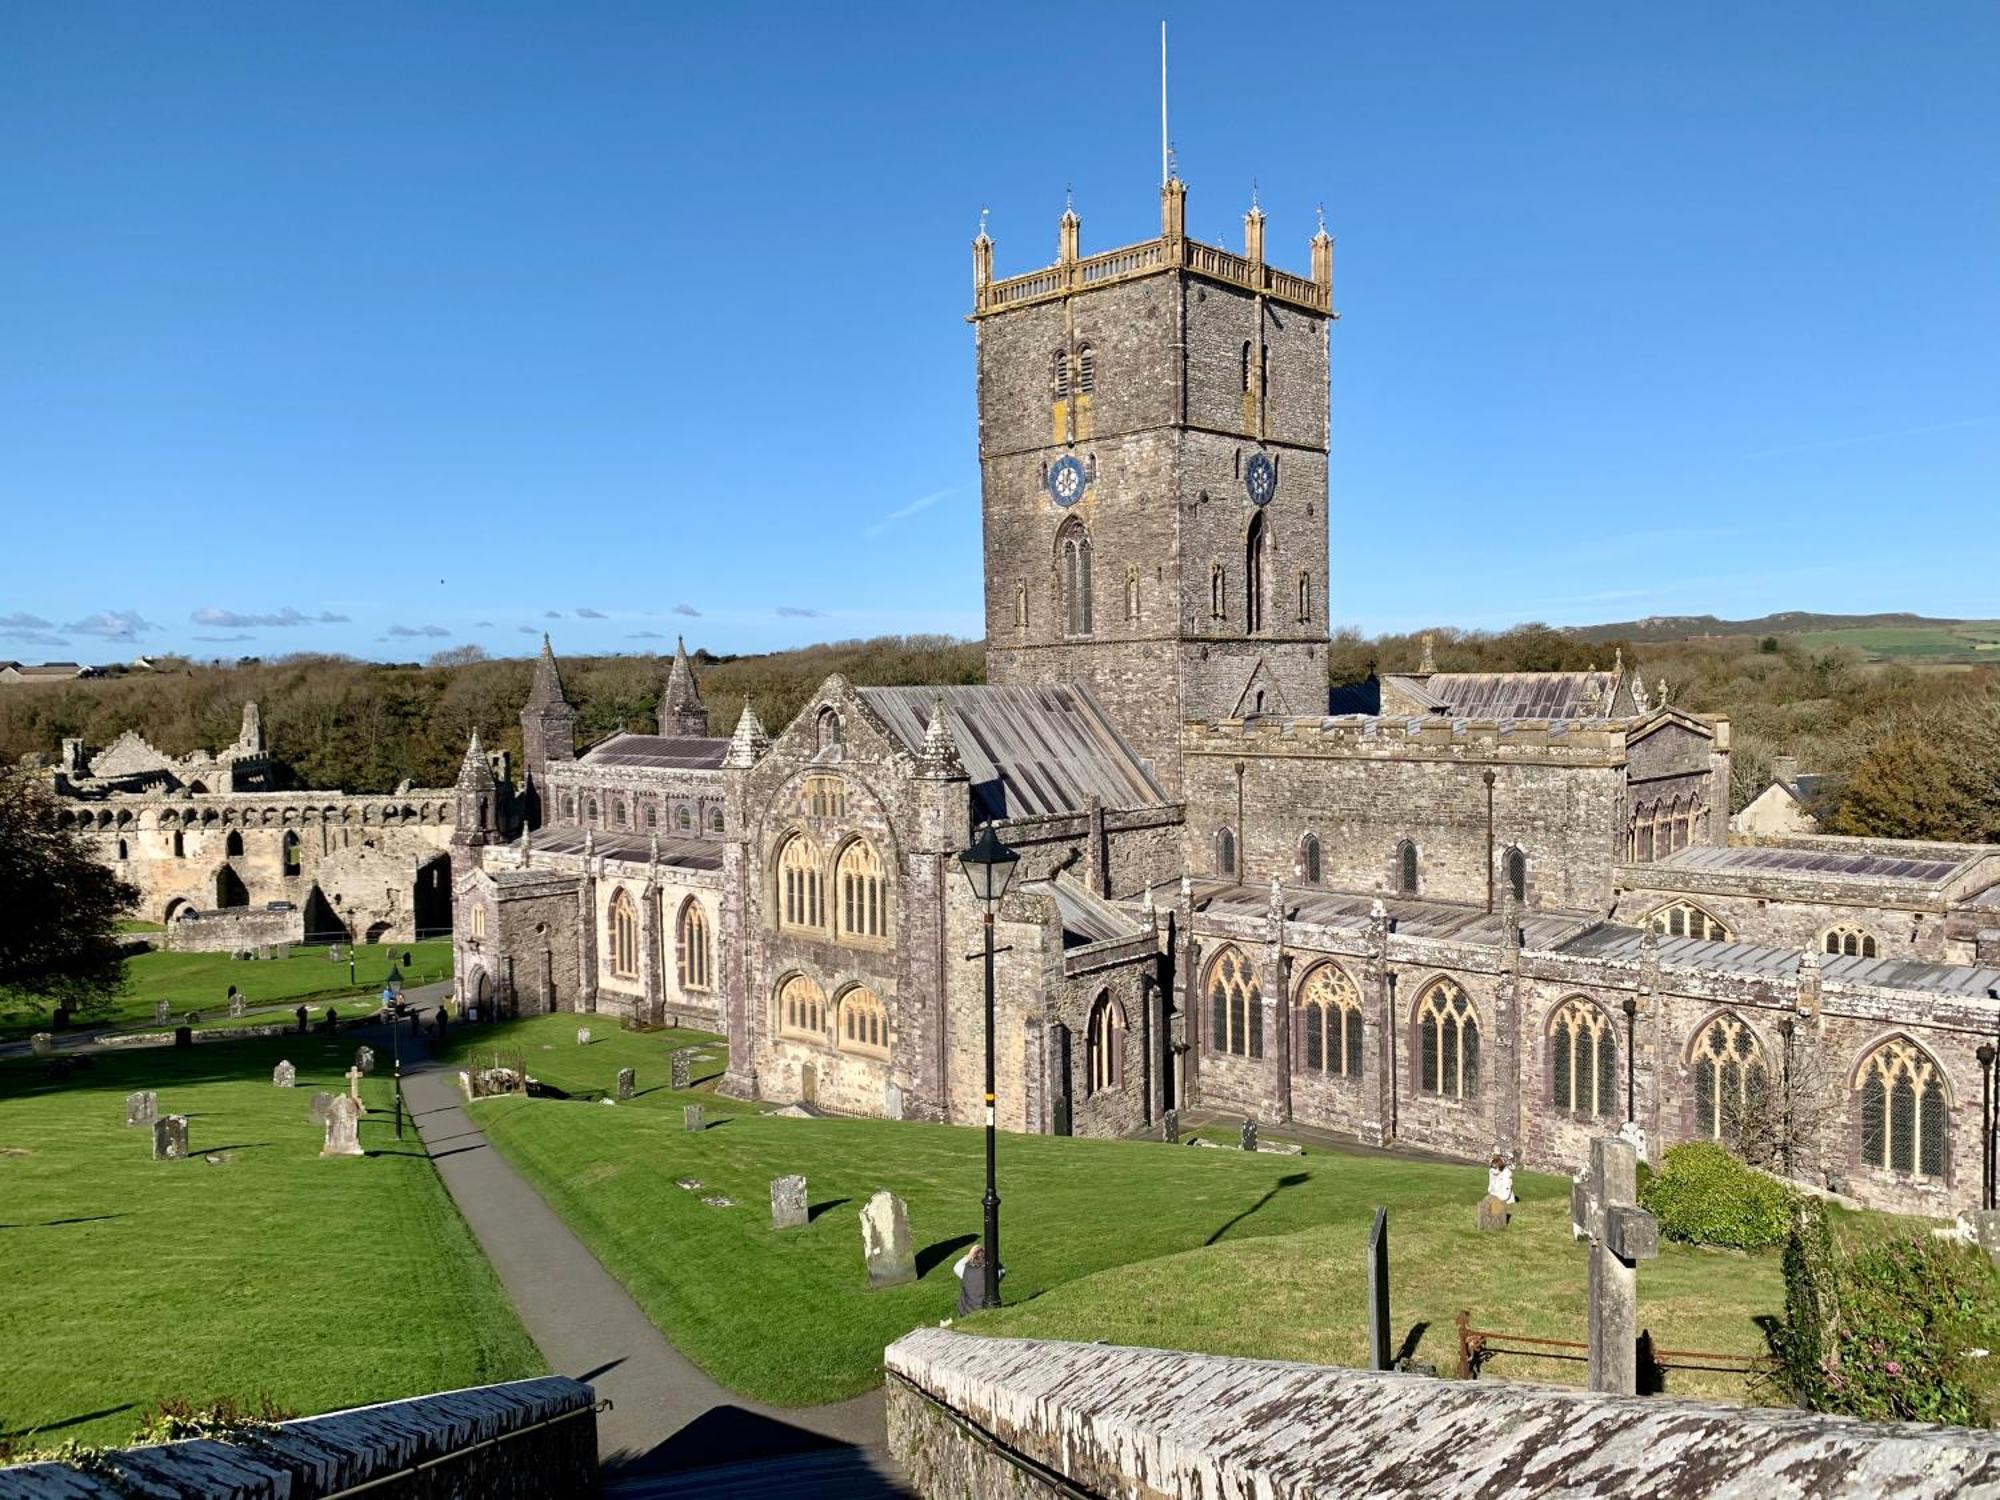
<point>323,1283</point>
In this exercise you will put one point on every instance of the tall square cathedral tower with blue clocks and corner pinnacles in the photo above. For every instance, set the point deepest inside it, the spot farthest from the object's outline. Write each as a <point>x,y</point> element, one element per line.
<point>1153,455</point>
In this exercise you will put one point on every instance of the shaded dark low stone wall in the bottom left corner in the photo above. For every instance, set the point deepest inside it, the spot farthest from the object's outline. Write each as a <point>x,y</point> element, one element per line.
<point>521,1441</point>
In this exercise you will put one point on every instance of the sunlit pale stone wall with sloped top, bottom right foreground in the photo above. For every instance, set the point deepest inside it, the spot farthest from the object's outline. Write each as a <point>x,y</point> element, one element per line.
<point>1023,1417</point>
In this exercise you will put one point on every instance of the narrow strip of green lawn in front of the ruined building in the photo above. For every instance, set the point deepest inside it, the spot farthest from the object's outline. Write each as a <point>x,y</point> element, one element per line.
<point>203,983</point>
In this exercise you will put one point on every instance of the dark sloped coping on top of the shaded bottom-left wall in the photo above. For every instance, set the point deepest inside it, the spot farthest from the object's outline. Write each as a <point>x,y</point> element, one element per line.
<point>317,1455</point>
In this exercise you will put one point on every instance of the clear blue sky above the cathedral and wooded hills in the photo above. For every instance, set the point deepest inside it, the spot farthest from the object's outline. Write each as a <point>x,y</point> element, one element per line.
<point>393,327</point>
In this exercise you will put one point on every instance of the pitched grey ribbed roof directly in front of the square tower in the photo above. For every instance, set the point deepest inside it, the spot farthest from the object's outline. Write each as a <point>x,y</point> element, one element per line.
<point>1029,751</point>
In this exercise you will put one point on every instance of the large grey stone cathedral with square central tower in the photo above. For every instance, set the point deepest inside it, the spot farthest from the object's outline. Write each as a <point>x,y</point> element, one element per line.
<point>1487,913</point>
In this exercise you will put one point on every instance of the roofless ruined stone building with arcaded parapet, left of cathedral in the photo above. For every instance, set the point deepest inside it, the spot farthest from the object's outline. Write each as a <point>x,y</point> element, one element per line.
<point>229,863</point>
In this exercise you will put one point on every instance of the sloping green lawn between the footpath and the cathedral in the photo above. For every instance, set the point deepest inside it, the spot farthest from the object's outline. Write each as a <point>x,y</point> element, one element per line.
<point>1253,1255</point>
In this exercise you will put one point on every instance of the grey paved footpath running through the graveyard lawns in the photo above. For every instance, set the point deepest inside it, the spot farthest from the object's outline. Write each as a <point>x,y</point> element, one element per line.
<point>667,1415</point>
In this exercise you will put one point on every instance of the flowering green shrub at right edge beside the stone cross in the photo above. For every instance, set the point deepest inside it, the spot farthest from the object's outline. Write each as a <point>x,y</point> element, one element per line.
<point>1897,1331</point>
